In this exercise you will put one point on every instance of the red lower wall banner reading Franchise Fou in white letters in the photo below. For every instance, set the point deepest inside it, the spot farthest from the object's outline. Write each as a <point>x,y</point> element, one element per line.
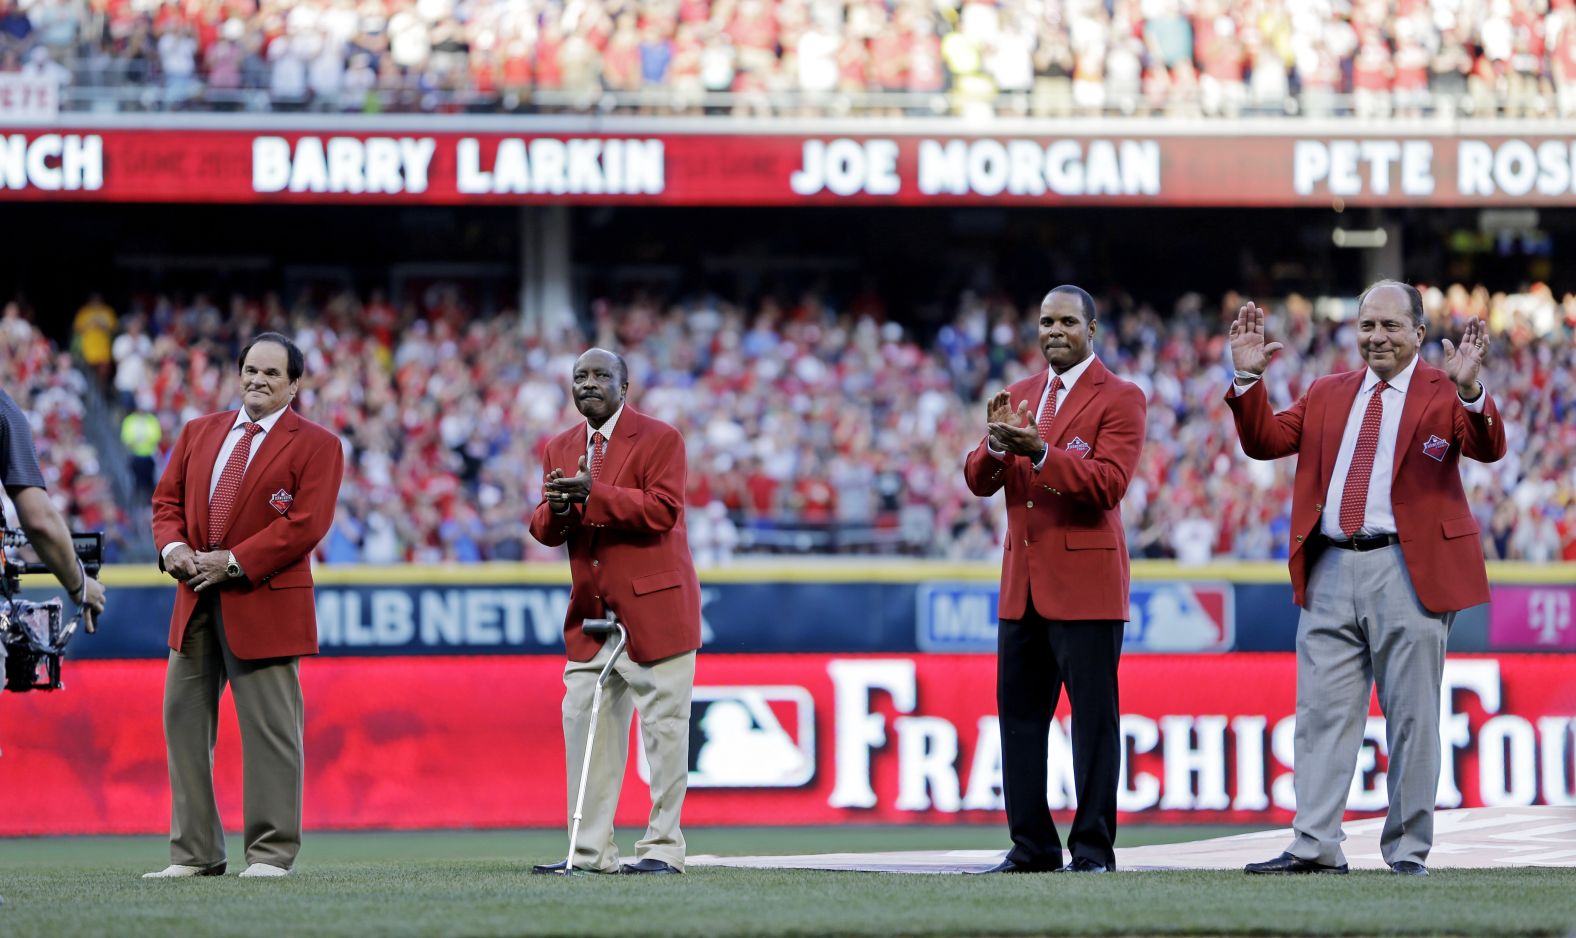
<point>775,740</point>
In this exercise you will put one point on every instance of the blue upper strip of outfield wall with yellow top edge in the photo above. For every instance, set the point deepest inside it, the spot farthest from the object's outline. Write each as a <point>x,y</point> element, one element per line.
<point>833,608</point>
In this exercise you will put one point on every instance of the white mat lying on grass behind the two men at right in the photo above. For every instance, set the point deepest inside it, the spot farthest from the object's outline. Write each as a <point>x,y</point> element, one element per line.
<point>1473,838</point>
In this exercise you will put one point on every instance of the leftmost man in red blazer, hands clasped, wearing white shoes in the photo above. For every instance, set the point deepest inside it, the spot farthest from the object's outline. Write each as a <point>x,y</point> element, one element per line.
<point>242,505</point>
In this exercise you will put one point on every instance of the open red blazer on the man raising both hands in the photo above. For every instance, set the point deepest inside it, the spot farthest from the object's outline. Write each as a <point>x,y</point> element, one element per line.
<point>1440,537</point>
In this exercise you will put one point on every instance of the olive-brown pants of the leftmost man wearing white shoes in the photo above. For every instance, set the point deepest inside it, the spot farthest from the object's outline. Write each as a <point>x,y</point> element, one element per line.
<point>269,702</point>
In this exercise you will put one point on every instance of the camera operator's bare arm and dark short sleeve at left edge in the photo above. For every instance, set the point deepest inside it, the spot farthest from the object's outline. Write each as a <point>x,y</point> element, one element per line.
<point>46,530</point>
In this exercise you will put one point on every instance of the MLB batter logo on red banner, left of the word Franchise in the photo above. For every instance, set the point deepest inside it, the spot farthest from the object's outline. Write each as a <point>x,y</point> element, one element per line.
<point>745,737</point>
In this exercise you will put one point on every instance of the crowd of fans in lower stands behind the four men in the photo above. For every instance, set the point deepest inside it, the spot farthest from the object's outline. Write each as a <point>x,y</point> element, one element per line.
<point>809,428</point>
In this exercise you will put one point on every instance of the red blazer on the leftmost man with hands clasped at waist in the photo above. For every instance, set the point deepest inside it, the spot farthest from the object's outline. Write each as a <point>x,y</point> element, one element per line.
<point>272,611</point>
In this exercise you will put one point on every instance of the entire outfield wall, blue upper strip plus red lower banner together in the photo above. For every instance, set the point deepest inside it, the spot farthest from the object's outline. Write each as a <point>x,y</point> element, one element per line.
<point>863,723</point>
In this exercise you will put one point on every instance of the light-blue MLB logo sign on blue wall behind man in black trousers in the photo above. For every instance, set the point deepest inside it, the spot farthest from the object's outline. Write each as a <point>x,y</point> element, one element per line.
<point>1164,617</point>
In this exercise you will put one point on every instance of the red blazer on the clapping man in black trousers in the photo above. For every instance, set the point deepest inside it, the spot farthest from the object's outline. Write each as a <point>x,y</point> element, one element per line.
<point>1065,523</point>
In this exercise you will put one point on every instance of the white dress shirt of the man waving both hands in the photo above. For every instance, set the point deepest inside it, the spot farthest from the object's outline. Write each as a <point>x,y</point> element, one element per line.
<point>1380,512</point>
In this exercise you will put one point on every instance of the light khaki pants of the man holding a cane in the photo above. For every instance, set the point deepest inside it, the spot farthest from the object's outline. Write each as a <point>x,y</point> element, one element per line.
<point>661,693</point>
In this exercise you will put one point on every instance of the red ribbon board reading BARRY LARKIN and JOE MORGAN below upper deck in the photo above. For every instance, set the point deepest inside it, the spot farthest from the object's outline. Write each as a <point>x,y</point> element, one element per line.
<point>786,169</point>
